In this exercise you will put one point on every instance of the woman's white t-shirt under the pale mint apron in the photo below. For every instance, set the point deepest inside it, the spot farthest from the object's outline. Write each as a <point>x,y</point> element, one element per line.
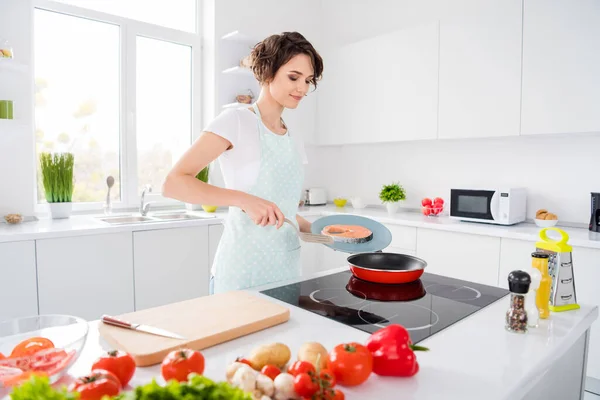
<point>240,164</point>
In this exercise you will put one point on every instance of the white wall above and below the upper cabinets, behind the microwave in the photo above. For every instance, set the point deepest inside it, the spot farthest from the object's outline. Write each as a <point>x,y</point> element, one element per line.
<point>558,171</point>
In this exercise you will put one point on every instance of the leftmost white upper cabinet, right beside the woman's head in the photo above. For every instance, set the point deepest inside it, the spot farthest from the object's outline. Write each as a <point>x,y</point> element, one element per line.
<point>392,99</point>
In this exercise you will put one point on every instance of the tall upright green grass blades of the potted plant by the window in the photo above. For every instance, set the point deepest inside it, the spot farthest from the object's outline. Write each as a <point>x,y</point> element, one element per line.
<point>57,176</point>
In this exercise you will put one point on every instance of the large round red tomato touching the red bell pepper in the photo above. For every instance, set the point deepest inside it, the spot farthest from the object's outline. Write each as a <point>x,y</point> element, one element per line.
<point>351,363</point>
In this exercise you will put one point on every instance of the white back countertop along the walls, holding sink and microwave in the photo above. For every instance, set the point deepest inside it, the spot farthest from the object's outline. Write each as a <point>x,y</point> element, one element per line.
<point>88,225</point>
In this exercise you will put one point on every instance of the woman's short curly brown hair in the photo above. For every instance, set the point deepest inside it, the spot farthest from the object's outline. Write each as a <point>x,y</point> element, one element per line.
<point>269,55</point>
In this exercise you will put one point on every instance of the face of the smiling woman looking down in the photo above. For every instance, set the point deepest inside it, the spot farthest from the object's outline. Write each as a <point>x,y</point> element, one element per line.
<point>292,81</point>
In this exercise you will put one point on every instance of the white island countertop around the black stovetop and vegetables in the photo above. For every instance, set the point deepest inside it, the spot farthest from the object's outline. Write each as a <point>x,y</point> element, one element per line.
<point>476,358</point>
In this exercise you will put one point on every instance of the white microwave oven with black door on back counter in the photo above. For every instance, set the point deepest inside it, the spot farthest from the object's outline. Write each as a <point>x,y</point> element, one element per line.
<point>494,206</point>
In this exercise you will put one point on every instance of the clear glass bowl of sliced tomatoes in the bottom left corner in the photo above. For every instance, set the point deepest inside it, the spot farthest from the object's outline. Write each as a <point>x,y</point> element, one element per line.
<point>66,333</point>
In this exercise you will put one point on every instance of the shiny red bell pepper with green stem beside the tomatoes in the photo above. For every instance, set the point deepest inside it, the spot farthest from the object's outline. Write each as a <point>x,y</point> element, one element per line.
<point>393,352</point>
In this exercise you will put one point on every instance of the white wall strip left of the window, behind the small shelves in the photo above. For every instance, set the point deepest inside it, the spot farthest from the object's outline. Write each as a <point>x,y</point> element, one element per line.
<point>17,161</point>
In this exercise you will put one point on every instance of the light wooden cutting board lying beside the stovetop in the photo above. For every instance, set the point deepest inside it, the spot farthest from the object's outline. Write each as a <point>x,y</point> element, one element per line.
<point>204,322</point>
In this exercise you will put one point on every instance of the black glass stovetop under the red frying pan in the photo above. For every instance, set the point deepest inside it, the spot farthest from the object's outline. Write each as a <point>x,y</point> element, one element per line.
<point>424,307</point>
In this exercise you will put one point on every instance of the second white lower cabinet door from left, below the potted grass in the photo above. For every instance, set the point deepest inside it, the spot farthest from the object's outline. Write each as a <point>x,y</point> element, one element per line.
<point>85,276</point>
